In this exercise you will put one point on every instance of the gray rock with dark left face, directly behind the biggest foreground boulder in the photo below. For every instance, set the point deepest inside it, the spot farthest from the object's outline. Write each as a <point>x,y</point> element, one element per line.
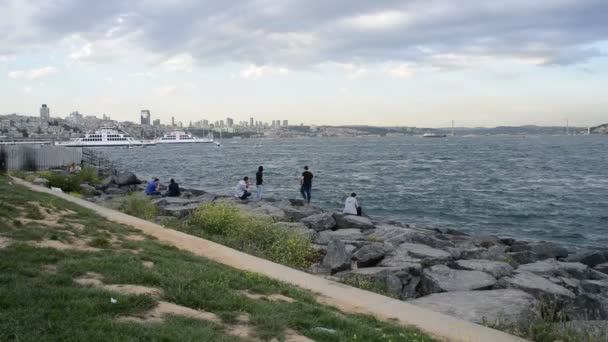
<point>440,278</point>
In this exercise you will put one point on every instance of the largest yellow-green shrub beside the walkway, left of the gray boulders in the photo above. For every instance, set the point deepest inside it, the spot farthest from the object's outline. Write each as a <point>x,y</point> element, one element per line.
<point>251,234</point>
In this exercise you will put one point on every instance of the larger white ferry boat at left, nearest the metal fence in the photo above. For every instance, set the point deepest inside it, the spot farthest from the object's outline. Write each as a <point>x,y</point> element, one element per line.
<point>104,137</point>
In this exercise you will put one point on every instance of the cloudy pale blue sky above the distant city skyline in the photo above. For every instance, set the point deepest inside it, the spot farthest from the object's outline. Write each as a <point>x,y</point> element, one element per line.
<point>384,62</point>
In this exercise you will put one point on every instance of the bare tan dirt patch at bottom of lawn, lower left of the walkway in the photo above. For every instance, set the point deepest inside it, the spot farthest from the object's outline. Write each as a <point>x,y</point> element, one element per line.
<point>163,309</point>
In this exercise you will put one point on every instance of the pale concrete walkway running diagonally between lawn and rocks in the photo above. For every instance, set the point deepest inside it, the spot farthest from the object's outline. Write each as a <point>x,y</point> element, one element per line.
<point>331,293</point>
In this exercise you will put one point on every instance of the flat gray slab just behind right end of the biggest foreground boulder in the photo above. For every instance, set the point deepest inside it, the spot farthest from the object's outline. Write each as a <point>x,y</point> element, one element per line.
<point>535,285</point>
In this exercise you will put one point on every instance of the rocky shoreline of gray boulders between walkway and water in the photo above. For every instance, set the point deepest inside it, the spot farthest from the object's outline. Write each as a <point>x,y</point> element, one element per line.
<point>484,279</point>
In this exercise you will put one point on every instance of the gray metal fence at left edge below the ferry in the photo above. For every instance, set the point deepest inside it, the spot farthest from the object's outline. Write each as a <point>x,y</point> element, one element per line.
<point>39,157</point>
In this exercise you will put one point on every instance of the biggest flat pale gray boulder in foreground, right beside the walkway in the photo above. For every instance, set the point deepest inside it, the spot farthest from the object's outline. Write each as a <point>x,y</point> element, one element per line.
<point>499,307</point>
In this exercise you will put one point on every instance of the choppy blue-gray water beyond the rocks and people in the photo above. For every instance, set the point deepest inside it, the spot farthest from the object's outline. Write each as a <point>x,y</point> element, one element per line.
<point>549,187</point>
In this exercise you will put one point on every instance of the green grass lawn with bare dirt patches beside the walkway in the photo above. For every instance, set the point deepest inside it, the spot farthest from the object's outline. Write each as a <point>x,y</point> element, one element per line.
<point>60,266</point>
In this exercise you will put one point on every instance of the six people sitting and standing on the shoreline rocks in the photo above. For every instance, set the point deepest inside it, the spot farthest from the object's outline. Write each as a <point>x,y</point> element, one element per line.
<point>242,190</point>
